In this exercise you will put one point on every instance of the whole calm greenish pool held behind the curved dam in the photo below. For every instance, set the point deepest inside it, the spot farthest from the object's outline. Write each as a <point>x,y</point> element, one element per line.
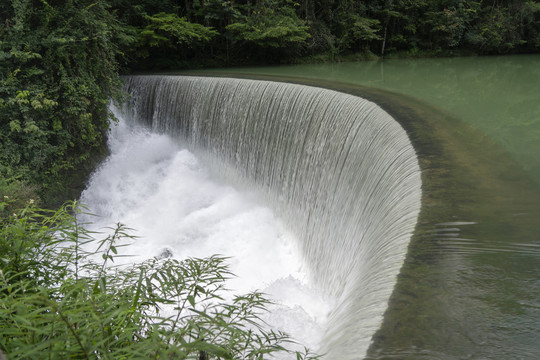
<point>470,288</point>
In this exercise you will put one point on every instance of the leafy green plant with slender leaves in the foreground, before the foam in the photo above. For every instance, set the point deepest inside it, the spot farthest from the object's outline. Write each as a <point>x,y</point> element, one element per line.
<point>58,300</point>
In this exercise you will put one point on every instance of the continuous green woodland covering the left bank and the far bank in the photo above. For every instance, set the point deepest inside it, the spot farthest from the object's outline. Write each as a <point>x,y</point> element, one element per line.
<point>60,60</point>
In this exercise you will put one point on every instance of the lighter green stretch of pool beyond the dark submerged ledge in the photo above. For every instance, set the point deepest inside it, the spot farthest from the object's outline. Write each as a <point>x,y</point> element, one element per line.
<point>499,95</point>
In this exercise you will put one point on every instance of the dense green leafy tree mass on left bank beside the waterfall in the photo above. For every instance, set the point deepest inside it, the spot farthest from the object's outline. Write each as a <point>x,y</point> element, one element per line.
<point>58,72</point>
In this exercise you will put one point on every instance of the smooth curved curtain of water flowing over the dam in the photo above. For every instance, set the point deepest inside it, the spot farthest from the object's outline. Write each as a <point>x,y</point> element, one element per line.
<point>340,172</point>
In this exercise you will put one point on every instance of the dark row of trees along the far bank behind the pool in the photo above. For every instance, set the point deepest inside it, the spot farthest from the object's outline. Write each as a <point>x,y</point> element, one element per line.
<point>285,30</point>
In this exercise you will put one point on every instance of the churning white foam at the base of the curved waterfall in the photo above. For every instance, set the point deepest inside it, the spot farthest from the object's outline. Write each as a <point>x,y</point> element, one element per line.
<point>153,185</point>
